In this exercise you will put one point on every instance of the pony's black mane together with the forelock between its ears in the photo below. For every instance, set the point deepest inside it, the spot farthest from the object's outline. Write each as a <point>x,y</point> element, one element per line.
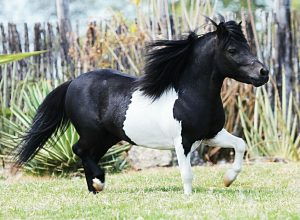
<point>167,59</point>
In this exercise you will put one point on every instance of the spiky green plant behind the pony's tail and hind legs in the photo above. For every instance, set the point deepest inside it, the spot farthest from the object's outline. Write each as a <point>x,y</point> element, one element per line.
<point>57,155</point>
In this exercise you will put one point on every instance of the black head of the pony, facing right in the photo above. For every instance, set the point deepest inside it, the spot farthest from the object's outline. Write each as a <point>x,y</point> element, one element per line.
<point>234,58</point>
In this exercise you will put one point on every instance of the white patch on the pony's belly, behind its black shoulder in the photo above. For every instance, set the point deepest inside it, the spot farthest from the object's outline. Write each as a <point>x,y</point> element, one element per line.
<point>151,123</point>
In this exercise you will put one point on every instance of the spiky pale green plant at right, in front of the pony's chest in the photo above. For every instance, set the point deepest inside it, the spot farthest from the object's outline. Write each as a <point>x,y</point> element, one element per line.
<point>273,130</point>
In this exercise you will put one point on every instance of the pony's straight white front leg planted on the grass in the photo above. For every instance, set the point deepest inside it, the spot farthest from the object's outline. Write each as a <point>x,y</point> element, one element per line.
<point>184,165</point>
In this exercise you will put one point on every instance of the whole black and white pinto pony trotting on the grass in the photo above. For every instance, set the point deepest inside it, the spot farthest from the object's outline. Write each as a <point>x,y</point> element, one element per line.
<point>176,104</point>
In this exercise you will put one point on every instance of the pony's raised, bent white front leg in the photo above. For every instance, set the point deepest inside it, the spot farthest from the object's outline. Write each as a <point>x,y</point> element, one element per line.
<point>227,140</point>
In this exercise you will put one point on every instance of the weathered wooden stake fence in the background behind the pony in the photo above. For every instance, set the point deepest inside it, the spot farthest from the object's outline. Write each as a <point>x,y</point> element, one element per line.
<point>116,44</point>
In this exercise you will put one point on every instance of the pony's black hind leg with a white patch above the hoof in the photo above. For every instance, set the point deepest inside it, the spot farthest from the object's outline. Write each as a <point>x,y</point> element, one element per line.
<point>90,151</point>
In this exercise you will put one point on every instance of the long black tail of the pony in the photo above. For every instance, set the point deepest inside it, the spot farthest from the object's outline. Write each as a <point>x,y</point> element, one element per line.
<point>50,118</point>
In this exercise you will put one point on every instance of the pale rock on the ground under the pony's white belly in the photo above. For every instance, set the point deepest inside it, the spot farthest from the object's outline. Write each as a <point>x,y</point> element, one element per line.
<point>141,158</point>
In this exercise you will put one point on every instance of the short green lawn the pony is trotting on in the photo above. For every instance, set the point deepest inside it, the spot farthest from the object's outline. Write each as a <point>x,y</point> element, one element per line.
<point>262,191</point>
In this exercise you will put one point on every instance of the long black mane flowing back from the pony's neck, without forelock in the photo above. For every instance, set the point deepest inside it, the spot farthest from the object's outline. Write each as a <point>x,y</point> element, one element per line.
<point>165,61</point>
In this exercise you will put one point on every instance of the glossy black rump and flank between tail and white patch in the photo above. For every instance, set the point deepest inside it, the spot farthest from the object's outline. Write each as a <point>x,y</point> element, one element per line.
<point>97,101</point>
